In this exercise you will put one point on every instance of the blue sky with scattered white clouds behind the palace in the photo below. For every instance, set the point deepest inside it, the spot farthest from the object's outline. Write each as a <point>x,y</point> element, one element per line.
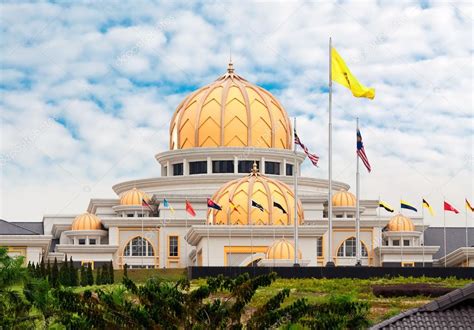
<point>88,90</point>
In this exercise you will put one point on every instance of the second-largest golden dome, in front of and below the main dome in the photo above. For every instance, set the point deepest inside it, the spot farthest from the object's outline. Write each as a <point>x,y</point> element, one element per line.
<point>261,189</point>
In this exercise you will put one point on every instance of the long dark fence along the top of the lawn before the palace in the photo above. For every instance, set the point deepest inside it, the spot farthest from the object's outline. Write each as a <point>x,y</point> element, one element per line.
<point>333,272</point>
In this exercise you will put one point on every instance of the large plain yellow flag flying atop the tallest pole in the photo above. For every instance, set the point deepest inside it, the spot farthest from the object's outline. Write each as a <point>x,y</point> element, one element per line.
<point>342,75</point>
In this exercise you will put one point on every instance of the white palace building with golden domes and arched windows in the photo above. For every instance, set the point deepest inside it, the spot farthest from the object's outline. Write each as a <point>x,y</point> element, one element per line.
<point>231,141</point>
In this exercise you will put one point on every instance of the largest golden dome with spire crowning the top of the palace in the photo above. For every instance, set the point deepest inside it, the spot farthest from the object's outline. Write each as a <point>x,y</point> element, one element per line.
<point>230,112</point>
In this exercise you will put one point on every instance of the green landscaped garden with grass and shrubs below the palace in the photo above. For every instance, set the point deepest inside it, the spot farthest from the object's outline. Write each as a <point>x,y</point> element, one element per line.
<point>59,297</point>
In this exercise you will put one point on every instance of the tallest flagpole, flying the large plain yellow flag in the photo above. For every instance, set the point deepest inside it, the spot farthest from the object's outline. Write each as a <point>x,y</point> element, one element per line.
<point>330,261</point>
